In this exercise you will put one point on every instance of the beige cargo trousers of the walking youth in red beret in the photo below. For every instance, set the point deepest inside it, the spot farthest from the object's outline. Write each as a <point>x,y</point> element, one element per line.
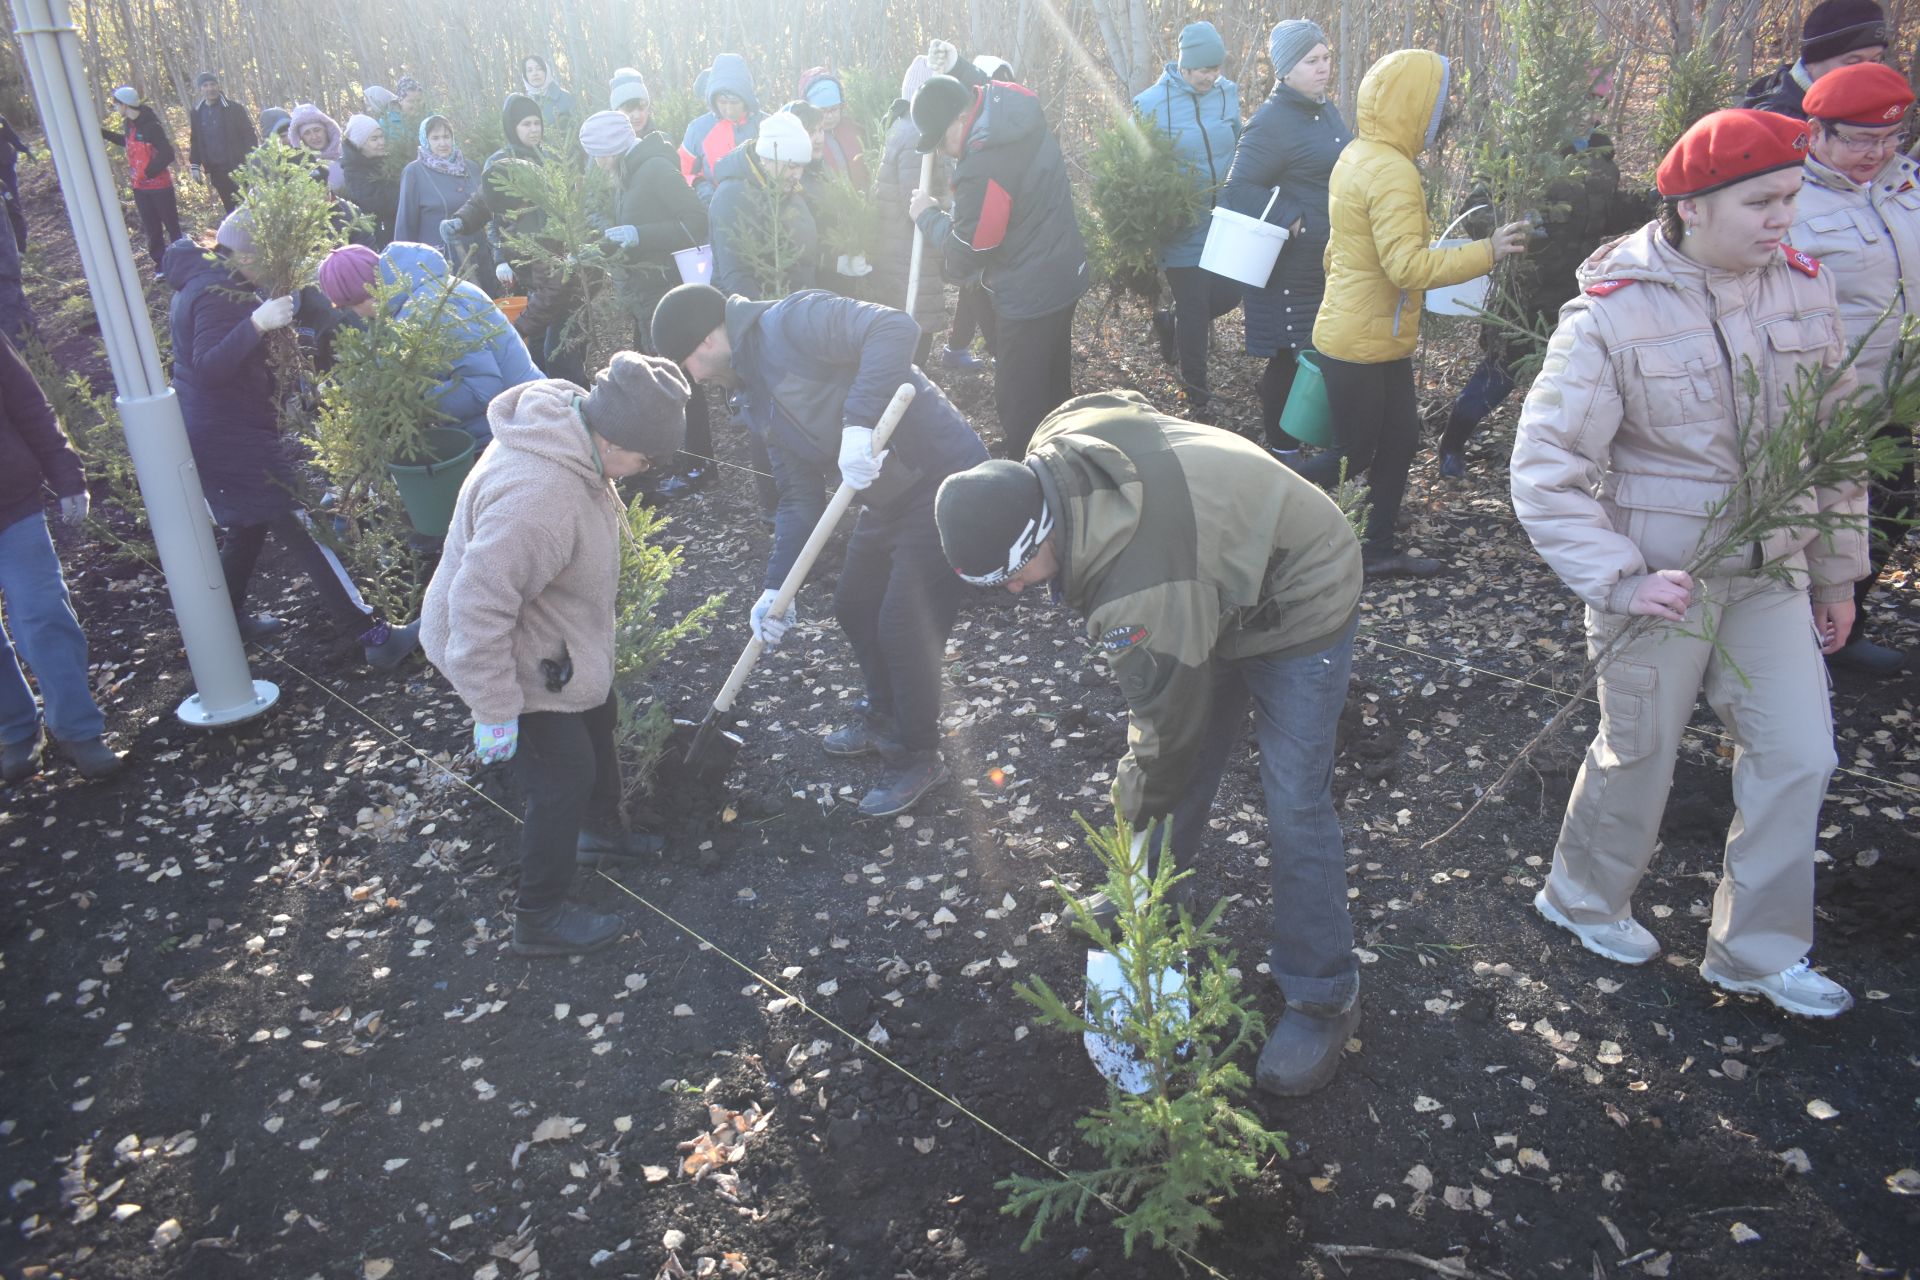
<point>1767,682</point>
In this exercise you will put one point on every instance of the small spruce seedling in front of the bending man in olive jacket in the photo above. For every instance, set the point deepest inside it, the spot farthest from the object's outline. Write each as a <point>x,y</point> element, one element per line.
<point>1172,1152</point>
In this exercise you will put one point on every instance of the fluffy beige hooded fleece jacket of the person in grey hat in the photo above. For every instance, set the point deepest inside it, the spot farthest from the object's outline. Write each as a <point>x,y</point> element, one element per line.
<point>531,565</point>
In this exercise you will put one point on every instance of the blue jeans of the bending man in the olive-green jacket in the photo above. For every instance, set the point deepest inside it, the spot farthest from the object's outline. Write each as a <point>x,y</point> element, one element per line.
<point>1297,713</point>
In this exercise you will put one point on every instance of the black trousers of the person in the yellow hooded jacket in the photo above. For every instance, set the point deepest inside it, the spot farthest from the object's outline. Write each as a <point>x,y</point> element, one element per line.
<point>1378,431</point>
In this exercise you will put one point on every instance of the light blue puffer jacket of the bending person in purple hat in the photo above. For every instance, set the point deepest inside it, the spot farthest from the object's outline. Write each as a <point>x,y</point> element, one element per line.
<point>494,356</point>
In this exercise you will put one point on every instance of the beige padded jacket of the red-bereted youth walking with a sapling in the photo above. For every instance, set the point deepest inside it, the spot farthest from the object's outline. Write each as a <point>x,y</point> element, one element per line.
<point>1631,429</point>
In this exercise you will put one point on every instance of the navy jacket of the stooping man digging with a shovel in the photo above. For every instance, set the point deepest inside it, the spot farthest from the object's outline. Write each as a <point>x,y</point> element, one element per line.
<point>813,364</point>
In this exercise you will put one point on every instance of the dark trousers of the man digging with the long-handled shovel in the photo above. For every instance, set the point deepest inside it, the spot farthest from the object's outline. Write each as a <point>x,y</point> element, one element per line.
<point>896,602</point>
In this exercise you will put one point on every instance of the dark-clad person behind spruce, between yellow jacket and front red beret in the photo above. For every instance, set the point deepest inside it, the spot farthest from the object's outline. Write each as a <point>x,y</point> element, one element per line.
<point>1577,214</point>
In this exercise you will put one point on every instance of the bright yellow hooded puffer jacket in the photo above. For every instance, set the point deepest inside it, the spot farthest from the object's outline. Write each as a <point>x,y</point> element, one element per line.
<point>1380,264</point>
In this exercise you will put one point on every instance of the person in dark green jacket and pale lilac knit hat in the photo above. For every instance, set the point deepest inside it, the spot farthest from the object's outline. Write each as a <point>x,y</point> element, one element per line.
<point>656,214</point>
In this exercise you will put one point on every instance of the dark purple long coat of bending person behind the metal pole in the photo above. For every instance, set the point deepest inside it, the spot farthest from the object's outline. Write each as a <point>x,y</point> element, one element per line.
<point>226,389</point>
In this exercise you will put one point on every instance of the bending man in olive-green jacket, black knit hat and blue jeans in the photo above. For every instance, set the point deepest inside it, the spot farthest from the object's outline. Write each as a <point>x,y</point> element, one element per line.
<point>1212,581</point>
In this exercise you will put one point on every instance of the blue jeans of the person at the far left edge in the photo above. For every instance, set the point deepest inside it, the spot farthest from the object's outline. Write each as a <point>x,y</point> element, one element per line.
<point>43,627</point>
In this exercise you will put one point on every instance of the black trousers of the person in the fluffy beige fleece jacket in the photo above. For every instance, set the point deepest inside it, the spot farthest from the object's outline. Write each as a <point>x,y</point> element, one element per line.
<point>569,769</point>
